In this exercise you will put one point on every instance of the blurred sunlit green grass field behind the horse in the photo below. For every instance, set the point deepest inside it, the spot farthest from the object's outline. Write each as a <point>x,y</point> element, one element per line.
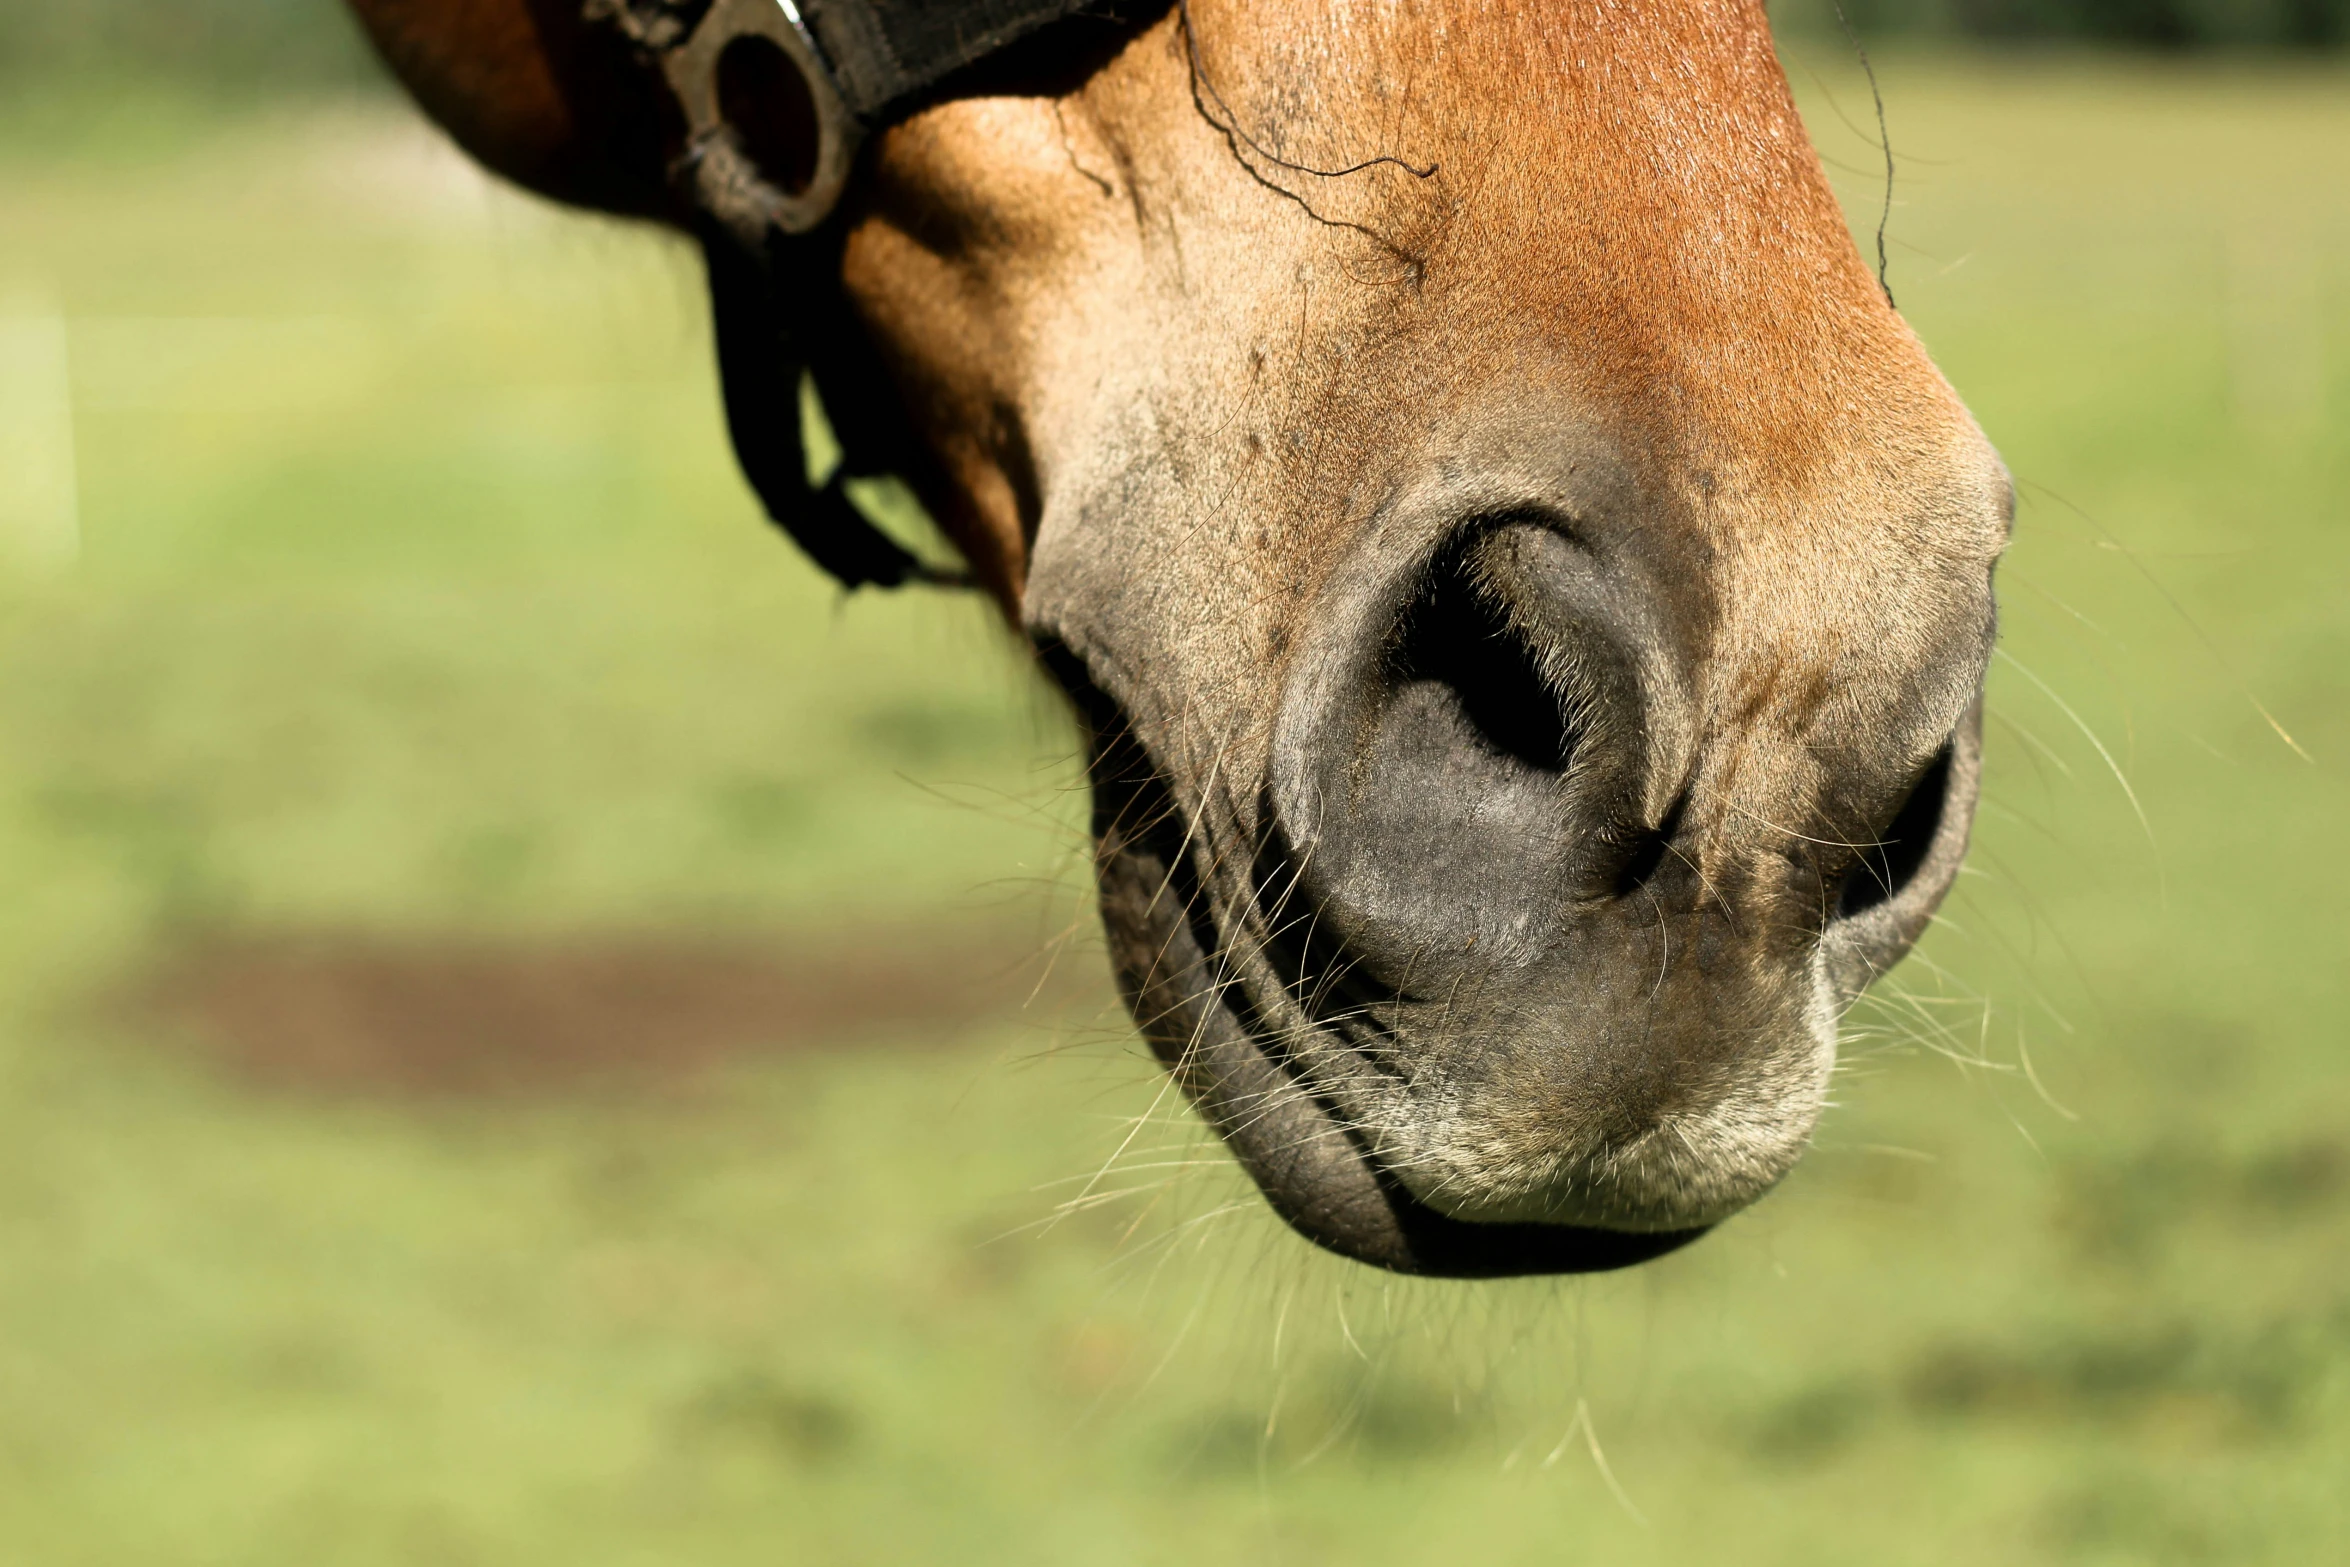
<point>415,600</point>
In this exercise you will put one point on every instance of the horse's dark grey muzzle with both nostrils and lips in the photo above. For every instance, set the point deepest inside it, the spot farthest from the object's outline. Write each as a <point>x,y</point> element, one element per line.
<point>1505,969</point>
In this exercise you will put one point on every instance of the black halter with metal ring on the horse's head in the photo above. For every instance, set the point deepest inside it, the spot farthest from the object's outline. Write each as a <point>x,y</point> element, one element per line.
<point>760,86</point>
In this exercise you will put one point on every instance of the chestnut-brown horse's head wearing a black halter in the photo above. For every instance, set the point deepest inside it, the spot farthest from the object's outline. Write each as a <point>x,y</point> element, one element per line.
<point>1524,586</point>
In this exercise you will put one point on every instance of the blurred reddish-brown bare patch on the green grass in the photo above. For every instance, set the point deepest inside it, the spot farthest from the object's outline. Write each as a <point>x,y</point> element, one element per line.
<point>629,1014</point>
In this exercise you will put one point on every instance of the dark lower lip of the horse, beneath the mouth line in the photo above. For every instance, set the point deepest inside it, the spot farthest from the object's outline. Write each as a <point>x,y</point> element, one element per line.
<point>1305,1159</point>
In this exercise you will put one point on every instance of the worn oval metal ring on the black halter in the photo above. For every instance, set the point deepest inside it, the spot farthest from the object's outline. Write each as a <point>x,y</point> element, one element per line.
<point>732,180</point>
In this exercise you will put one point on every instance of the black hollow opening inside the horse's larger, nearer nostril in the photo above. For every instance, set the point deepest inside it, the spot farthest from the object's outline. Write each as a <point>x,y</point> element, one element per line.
<point>1458,635</point>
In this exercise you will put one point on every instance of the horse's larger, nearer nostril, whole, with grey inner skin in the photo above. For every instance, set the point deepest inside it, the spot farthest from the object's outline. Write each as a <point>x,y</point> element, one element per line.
<point>1465,753</point>
